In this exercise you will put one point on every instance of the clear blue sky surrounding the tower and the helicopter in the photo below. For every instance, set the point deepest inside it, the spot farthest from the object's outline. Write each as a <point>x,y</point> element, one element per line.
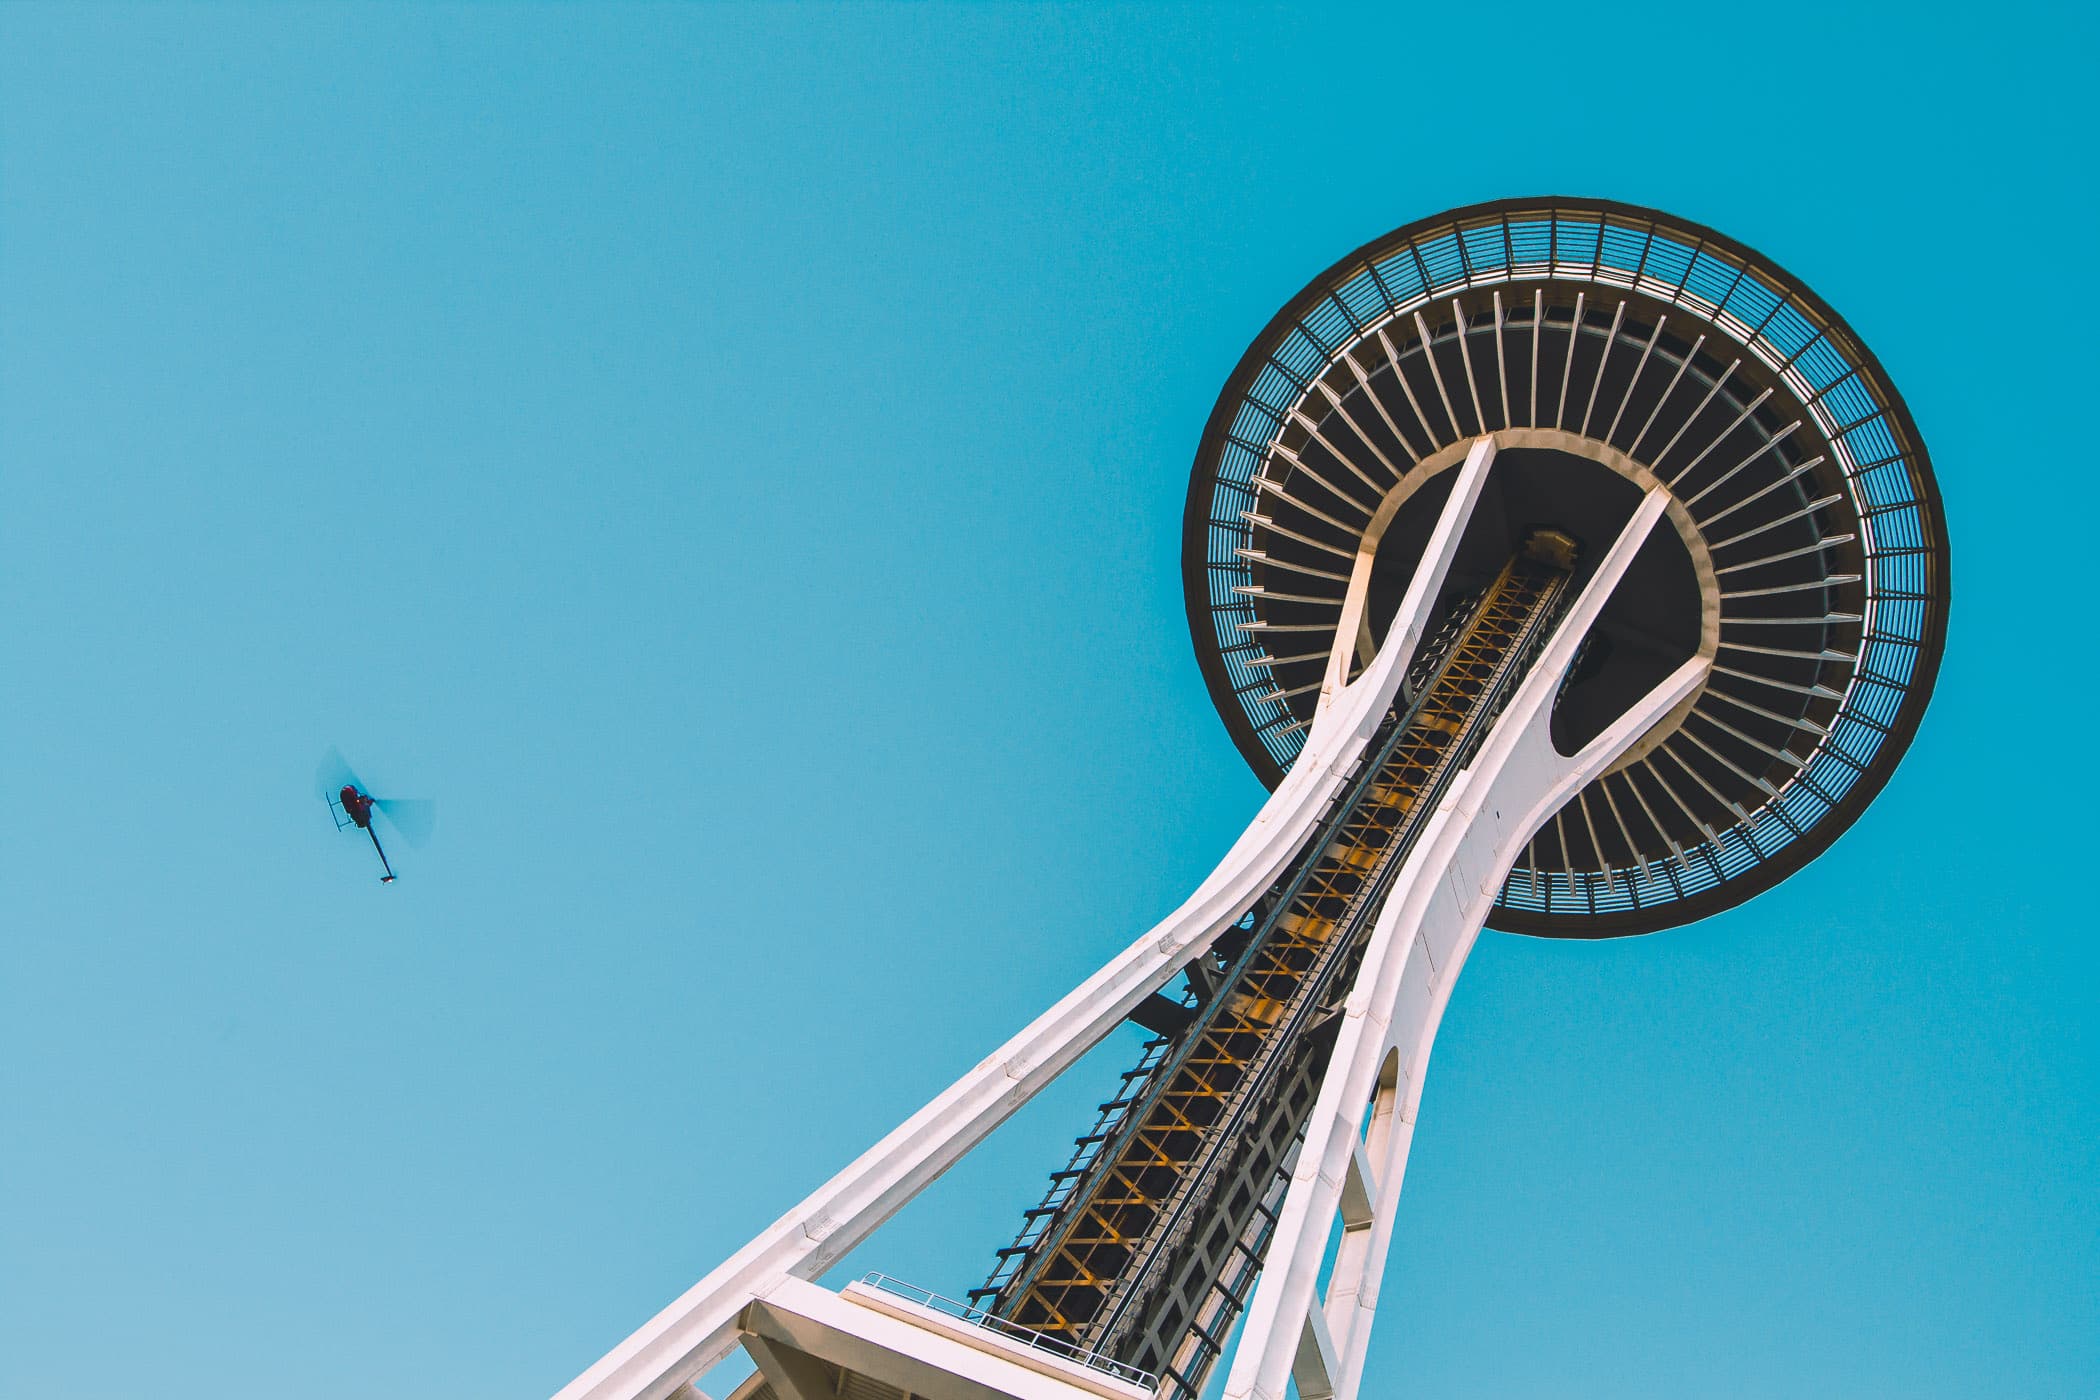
<point>732,461</point>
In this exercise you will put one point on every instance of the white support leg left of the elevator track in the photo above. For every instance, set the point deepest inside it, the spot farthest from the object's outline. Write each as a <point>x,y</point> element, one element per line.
<point>702,1325</point>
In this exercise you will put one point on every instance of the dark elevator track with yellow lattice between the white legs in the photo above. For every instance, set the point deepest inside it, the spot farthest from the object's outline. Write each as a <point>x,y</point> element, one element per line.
<point>1150,1239</point>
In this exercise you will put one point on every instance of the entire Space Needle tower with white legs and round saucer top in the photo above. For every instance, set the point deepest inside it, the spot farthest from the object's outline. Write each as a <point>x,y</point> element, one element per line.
<point>1563,568</point>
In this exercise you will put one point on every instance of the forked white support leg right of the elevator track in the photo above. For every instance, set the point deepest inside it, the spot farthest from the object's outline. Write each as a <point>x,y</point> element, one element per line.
<point>1419,946</point>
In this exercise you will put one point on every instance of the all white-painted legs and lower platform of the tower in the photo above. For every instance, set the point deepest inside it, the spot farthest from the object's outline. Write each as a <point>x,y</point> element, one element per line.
<point>1416,950</point>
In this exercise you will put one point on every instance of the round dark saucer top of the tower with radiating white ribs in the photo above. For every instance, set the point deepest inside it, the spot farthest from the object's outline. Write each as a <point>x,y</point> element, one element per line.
<point>1608,349</point>
